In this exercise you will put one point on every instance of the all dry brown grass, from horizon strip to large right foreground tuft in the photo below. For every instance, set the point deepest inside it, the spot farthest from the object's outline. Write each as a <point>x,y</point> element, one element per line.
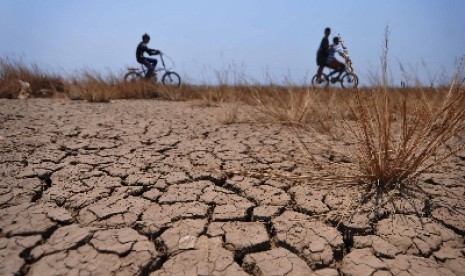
<point>392,135</point>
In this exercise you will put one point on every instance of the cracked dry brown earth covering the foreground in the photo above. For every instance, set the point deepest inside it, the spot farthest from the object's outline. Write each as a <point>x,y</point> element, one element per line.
<point>133,188</point>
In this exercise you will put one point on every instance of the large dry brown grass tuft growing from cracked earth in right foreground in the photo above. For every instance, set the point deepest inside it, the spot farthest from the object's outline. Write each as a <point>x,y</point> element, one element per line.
<point>398,137</point>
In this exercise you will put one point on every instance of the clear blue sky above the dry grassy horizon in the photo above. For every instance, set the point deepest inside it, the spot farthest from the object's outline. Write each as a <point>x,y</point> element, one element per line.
<point>256,38</point>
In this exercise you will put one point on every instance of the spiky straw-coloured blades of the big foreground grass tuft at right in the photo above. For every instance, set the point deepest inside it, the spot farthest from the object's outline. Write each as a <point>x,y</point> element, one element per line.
<point>392,147</point>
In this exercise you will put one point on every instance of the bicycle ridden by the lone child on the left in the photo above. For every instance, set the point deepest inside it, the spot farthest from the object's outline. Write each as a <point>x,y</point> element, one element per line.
<point>169,77</point>
